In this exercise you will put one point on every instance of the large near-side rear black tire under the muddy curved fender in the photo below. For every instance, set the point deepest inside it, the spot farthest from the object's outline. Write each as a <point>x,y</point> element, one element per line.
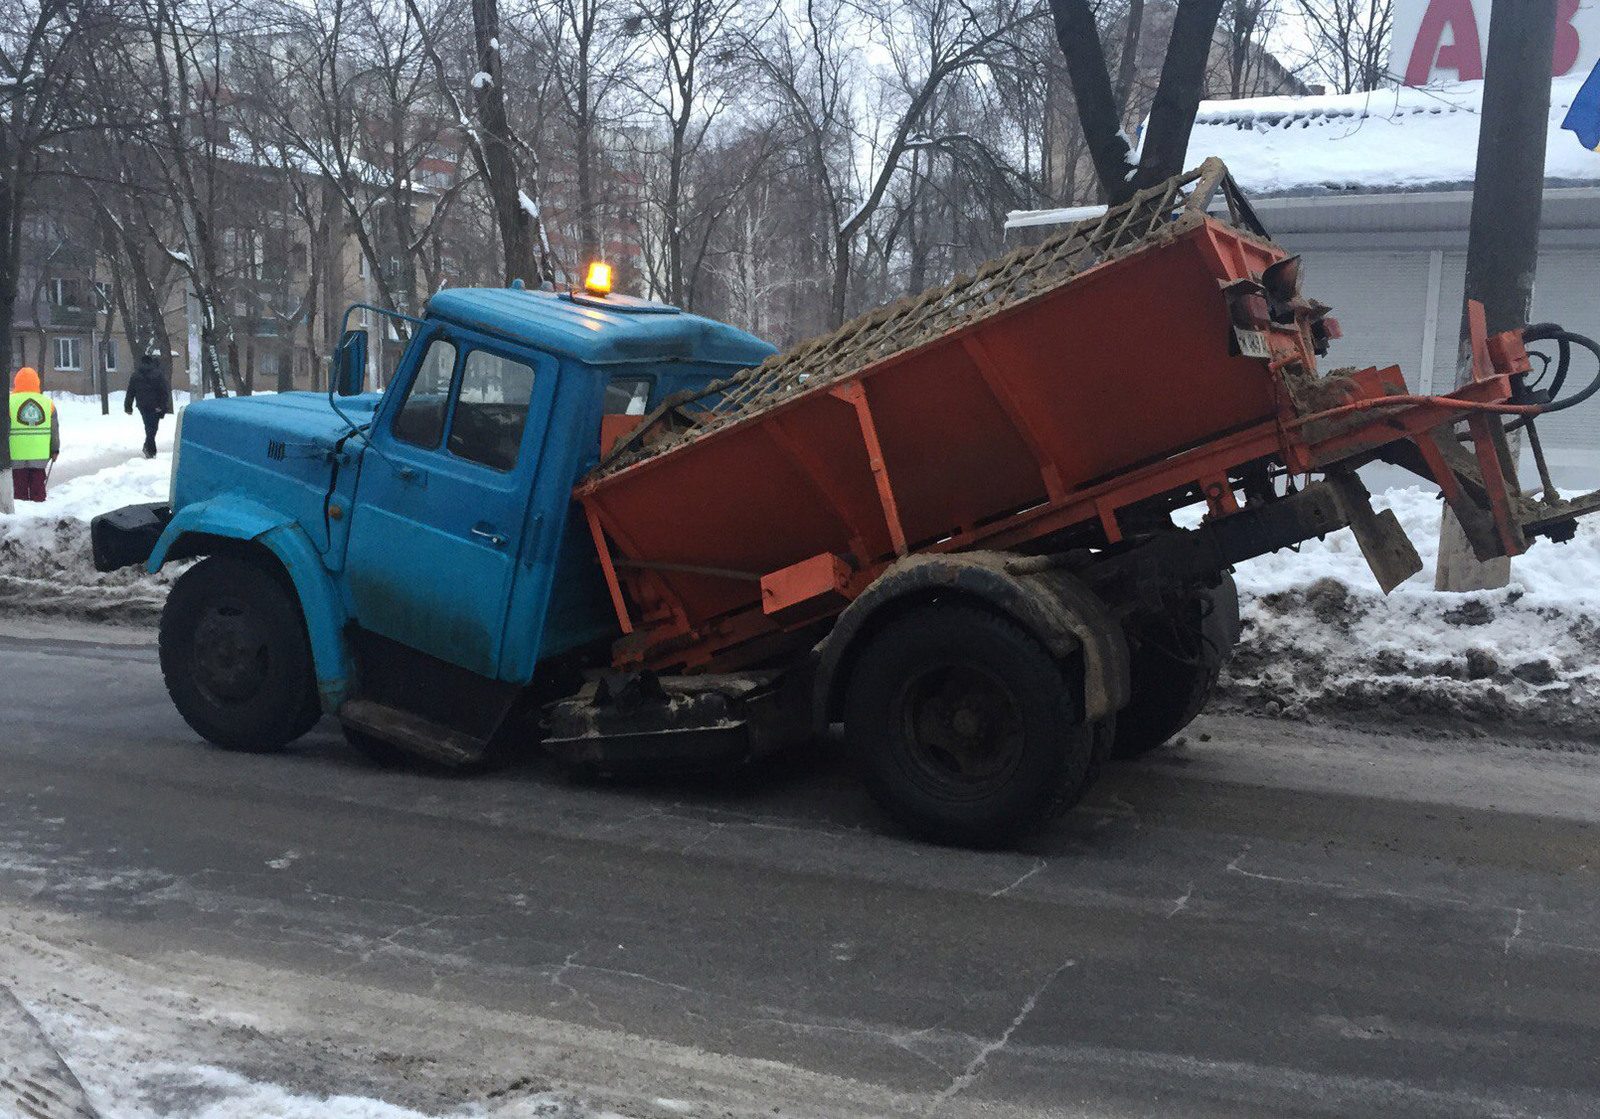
<point>964,728</point>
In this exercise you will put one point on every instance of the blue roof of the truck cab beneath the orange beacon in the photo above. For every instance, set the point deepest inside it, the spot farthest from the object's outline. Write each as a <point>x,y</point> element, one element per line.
<point>599,331</point>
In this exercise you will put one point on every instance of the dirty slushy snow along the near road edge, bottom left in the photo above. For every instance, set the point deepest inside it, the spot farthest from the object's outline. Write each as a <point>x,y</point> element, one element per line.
<point>143,1033</point>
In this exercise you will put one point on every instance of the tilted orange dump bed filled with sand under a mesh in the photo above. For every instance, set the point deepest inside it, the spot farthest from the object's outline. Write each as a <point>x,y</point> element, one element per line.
<point>1055,387</point>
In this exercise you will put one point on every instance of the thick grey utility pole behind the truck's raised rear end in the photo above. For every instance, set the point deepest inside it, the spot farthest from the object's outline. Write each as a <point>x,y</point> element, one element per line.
<point>1503,239</point>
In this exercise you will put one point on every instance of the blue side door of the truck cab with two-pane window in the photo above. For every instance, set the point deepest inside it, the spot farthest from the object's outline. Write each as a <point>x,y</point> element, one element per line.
<point>441,513</point>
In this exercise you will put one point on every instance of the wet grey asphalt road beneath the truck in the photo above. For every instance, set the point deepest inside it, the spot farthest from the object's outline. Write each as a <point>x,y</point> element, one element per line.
<point>1286,920</point>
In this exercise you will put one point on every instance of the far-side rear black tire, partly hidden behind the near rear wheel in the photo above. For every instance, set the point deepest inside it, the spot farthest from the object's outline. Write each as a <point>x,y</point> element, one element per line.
<point>1175,664</point>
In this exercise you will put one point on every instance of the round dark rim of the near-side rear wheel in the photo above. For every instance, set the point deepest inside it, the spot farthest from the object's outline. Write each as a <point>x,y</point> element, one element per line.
<point>961,732</point>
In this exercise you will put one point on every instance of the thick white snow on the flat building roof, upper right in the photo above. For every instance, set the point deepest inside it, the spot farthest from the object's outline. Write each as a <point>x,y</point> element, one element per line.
<point>1407,138</point>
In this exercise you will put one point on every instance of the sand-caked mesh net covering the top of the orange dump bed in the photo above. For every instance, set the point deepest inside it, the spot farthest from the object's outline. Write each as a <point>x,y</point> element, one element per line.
<point>1030,273</point>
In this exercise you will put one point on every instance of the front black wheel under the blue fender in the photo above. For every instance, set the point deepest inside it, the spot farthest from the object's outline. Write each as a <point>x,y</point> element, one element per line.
<point>236,657</point>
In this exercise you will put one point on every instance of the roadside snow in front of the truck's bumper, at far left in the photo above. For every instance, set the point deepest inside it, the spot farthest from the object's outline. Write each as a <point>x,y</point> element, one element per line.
<point>46,564</point>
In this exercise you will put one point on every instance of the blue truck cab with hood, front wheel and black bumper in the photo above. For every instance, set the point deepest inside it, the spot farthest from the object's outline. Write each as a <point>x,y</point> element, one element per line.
<point>409,559</point>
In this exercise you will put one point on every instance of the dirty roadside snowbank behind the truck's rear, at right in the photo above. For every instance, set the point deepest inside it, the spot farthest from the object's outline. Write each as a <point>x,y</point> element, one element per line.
<point>1321,636</point>
